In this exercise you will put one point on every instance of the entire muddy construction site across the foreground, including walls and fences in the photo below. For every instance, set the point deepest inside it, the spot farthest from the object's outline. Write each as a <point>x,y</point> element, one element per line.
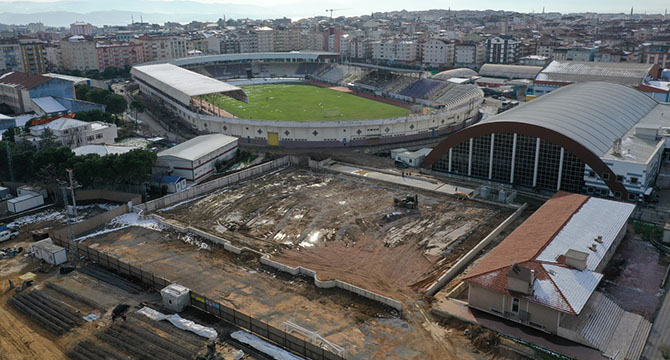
<point>289,259</point>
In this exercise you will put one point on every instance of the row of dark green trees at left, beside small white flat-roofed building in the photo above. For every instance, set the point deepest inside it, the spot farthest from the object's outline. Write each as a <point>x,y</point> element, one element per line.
<point>48,164</point>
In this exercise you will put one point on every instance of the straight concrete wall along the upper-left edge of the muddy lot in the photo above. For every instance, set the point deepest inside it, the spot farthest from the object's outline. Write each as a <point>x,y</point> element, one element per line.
<point>218,183</point>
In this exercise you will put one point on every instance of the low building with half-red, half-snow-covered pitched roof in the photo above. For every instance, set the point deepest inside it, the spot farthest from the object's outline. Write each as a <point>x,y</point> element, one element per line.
<point>545,274</point>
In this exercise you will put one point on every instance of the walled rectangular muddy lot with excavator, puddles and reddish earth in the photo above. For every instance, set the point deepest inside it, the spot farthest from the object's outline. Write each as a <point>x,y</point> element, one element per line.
<point>343,227</point>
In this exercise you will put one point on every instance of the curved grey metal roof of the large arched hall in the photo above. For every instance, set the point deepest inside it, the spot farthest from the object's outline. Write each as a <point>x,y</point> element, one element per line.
<point>593,114</point>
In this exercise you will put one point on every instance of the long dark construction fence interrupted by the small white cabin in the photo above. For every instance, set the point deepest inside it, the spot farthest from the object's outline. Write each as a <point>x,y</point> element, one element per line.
<point>258,327</point>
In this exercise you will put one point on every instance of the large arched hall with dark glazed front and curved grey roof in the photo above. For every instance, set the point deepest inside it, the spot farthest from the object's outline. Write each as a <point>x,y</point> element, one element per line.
<point>596,138</point>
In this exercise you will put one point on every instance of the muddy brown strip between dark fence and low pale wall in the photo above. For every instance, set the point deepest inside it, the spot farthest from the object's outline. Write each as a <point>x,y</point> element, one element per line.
<point>364,328</point>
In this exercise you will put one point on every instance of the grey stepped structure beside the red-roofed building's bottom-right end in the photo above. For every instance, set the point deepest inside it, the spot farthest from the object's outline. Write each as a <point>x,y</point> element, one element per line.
<point>602,323</point>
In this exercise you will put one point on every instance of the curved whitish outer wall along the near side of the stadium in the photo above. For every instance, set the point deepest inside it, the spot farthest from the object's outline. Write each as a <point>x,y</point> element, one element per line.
<point>328,133</point>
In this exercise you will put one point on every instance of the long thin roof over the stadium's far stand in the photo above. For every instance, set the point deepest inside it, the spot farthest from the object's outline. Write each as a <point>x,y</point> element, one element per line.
<point>293,55</point>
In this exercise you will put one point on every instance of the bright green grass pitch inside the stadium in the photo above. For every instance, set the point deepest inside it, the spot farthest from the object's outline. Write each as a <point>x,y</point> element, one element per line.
<point>302,102</point>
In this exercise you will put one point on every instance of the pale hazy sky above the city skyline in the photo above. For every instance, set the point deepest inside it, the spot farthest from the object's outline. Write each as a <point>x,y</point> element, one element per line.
<point>208,10</point>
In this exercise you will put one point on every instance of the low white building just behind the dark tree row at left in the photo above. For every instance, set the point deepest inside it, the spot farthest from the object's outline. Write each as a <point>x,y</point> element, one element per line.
<point>74,133</point>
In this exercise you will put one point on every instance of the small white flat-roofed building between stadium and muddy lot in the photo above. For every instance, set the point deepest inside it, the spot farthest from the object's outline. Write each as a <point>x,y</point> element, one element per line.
<point>195,159</point>
